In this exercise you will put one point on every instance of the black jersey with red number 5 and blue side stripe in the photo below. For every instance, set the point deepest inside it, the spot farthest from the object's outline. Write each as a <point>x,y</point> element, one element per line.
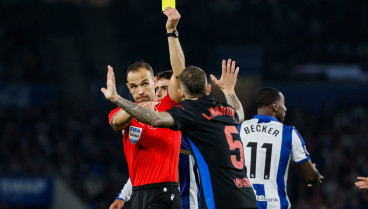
<point>210,128</point>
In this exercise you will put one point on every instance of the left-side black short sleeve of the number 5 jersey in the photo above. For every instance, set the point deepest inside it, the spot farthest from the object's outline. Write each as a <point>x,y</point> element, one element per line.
<point>184,115</point>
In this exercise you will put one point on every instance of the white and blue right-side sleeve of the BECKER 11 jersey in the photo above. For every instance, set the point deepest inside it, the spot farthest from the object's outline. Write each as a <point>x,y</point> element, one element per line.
<point>299,150</point>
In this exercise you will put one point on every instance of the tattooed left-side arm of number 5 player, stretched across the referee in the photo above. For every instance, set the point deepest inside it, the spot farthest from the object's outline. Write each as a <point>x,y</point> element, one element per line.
<point>156,119</point>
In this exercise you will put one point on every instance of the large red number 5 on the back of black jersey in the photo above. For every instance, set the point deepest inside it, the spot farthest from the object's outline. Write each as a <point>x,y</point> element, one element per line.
<point>235,144</point>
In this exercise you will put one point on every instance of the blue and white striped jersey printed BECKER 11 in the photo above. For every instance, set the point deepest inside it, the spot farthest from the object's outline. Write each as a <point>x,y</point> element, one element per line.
<point>268,148</point>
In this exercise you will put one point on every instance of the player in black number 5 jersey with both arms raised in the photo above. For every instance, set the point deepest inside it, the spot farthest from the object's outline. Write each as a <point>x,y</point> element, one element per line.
<point>210,128</point>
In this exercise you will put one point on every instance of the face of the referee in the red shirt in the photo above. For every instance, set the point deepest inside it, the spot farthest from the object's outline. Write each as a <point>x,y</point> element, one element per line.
<point>141,85</point>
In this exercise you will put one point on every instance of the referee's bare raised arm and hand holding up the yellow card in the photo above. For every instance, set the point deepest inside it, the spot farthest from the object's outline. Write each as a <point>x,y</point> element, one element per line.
<point>177,58</point>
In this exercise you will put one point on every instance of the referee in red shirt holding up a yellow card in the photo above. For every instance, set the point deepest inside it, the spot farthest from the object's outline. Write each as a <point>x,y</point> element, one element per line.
<point>152,154</point>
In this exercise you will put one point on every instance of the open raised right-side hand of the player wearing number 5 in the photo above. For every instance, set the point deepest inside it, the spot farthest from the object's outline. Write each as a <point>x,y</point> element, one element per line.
<point>228,78</point>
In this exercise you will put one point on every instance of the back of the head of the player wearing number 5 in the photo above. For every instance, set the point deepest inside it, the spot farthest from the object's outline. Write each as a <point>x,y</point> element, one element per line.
<point>194,80</point>
